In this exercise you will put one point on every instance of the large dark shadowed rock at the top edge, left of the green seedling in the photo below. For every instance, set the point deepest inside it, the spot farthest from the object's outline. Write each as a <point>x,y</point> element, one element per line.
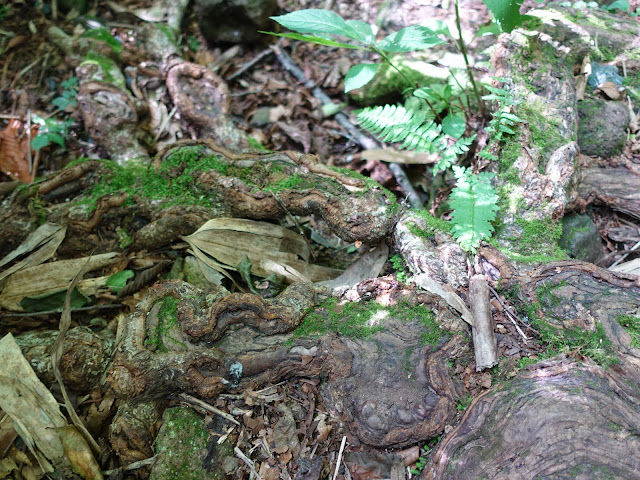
<point>235,21</point>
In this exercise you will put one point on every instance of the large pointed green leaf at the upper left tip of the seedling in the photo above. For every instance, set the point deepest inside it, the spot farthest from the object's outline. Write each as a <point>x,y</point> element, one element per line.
<point>317,21</point>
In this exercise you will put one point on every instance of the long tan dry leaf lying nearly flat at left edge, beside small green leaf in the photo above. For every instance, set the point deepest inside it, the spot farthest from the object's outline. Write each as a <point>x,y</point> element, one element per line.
<point>51,277</point>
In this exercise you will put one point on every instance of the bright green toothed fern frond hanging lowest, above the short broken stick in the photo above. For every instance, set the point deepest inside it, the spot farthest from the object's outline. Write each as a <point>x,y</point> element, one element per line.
<point>474,202</point>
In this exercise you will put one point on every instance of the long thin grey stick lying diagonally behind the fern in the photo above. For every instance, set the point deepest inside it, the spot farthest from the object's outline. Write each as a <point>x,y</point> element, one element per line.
<point>363,140</point>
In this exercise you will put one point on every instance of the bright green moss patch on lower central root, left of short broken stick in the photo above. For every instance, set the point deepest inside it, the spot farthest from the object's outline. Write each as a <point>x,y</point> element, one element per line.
<point>363,319</point>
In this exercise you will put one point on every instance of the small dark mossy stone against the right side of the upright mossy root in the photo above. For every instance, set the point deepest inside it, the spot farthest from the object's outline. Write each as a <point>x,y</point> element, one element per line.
<point>580,238</point>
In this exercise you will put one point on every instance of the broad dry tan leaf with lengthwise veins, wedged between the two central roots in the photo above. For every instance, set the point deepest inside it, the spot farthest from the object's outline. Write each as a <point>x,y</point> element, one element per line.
<point>223,242</point>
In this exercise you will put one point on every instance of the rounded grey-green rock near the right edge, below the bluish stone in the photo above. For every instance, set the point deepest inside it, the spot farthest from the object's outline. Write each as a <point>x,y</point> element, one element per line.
<point>602,127</point>
